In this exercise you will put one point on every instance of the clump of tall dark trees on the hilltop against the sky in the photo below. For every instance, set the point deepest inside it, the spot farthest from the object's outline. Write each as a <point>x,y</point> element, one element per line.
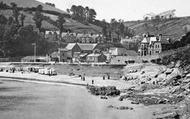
<point>82,14</point>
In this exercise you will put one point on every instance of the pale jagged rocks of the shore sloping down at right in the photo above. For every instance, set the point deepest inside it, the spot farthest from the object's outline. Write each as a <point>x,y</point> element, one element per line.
<point>159,84</point>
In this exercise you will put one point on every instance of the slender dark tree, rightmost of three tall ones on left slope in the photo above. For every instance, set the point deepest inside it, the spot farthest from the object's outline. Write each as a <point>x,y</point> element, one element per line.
<point>60,21</point>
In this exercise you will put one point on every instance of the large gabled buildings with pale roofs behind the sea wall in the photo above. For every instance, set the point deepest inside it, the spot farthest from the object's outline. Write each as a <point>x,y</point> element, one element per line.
<point>78,52</point>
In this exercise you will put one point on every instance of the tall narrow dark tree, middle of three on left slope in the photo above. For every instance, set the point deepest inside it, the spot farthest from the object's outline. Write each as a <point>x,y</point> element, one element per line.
<point>38,17</point>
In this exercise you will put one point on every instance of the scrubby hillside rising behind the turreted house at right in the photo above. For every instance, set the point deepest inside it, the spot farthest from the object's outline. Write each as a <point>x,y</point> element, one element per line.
<point>171,28</point>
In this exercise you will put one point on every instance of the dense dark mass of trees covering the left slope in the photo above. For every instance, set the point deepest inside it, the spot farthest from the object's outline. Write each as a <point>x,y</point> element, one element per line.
<point>16,38</point>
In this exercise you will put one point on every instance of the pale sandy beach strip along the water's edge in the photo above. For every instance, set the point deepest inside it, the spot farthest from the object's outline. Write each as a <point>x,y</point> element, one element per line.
<point>65,79</point>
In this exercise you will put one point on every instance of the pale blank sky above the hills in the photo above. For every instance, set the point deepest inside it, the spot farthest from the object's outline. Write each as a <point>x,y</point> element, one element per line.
<point>126,10</point>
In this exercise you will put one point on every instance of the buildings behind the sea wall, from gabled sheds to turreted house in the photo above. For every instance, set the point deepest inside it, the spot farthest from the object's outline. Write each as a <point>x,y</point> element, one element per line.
<point>92,52</point>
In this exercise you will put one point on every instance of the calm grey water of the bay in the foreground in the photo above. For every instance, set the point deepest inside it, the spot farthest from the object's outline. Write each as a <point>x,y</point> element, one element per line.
<point>21,100</point>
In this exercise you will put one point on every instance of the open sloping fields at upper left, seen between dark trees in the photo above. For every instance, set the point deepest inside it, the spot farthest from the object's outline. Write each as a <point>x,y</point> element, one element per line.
<point>70,24</point>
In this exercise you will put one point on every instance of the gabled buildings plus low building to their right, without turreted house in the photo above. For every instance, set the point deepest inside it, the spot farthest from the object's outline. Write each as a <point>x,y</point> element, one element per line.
<point>88,52</point>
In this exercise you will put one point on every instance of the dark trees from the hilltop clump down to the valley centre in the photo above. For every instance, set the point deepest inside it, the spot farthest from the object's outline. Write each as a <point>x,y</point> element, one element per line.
<point>87,15</point>
